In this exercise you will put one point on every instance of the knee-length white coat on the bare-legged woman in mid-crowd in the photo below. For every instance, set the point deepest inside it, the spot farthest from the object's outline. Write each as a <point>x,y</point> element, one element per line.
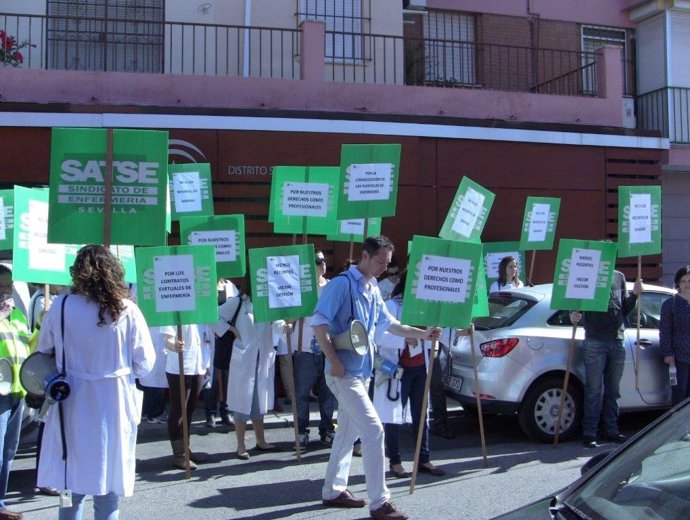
<point>253,358</point>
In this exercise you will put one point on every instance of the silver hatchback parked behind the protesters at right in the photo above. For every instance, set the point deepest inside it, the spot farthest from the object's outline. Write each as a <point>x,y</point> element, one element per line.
<point>522,350</point>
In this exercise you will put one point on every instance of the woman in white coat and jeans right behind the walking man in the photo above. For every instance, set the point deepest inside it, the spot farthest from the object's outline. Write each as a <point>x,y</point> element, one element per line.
<point>391,397</point>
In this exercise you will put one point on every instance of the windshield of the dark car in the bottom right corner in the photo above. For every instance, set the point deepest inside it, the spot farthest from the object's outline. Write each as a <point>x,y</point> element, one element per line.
<point>649,479</point>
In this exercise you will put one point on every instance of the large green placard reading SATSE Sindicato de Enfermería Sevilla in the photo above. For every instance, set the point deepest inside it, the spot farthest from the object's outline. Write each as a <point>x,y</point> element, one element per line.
<point>139,187</point>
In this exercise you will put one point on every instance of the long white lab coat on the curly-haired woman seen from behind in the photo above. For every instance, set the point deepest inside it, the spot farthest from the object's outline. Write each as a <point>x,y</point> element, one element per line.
<point>100,415</point>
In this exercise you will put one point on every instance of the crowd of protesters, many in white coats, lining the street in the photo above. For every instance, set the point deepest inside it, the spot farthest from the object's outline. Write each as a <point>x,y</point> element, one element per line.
<point>100,340</point>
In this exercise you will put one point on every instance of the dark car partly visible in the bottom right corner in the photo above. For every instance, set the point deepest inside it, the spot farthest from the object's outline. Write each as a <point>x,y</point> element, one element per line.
<point>647,477</point>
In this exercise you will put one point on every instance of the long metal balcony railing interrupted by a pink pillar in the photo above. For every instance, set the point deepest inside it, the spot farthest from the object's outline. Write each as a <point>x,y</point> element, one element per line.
<point>81,43</point>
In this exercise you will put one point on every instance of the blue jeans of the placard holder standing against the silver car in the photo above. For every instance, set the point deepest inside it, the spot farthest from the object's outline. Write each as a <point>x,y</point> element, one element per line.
<point>604,361</point>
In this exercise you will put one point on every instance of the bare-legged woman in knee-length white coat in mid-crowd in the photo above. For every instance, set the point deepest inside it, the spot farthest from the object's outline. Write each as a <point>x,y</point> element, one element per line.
<point>252,369</point>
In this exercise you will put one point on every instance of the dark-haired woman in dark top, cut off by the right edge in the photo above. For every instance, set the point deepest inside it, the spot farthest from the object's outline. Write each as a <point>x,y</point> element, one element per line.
<point>674,334</point>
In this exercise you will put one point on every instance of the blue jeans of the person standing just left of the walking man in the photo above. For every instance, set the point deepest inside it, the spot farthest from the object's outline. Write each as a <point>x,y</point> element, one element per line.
<point>309,371</point>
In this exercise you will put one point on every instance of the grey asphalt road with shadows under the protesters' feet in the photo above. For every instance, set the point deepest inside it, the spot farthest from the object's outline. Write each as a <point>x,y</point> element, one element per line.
<point>275,485</point>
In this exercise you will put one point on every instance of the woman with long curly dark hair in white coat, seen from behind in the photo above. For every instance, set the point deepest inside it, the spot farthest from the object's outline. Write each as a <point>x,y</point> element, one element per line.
<point>103,347</point>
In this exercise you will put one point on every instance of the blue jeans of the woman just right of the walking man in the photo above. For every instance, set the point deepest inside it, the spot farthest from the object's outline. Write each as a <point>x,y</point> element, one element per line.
<point>412,388</point>
